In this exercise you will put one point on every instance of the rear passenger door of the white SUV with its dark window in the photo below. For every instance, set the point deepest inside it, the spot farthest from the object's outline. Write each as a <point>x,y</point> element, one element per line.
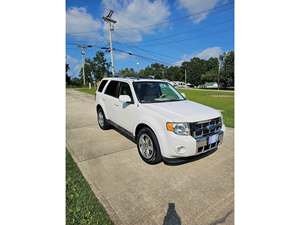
<point>111,100</point>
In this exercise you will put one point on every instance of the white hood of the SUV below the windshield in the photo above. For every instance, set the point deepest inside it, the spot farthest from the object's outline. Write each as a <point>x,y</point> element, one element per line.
<point>183,111</point>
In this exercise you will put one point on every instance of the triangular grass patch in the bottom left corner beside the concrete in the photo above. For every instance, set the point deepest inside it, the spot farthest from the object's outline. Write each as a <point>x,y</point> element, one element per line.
<point>82,207</point>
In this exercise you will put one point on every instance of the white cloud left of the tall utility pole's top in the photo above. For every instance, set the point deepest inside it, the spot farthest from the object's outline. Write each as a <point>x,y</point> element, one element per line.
<point>81,25</point>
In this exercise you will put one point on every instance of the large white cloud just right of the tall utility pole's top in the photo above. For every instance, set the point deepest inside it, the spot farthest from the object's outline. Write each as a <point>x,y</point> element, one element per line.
<point>137,14</point>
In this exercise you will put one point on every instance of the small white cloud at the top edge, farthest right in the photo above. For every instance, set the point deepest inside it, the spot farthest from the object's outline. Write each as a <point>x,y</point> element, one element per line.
<point>195,6</point>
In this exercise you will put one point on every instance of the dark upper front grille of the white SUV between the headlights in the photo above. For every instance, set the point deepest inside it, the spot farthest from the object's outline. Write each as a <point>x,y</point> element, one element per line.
<point>206,128</point>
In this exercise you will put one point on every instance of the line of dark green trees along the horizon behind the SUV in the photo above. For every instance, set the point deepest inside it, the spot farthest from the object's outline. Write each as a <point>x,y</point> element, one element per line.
<point>198,71</point>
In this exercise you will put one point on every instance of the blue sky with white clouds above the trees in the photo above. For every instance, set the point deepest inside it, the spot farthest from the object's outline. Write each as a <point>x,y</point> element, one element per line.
<point>154,31</point>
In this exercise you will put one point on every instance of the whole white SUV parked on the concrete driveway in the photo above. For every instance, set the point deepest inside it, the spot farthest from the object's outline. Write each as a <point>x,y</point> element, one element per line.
<point>162,122</point>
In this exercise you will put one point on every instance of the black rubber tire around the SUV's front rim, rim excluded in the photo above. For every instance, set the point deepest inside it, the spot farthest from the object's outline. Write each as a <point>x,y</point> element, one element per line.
<point>156,156</point>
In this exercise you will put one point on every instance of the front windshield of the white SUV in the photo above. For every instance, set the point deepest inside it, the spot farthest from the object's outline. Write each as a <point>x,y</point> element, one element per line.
<point>152,92</point>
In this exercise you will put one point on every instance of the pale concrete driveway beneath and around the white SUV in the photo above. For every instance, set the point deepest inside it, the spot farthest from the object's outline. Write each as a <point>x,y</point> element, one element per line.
<point>133,192</point>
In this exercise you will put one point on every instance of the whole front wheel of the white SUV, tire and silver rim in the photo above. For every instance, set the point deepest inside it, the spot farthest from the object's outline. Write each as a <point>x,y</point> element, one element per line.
<point>148,146</point>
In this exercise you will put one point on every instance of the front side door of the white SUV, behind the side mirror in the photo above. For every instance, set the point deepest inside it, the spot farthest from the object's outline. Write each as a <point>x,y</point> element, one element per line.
<point>126,112</point>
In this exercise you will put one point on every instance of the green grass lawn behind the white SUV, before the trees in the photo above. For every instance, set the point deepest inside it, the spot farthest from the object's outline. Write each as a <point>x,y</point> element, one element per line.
<point>223,101</point>
